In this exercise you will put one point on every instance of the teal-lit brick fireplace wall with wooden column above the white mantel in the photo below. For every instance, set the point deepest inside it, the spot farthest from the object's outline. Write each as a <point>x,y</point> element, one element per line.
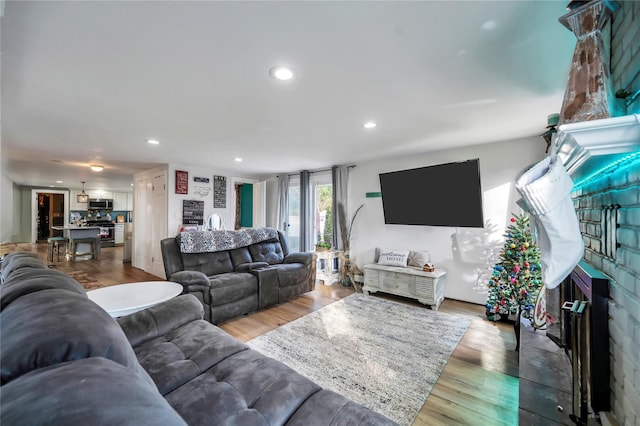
<point>608,207</point>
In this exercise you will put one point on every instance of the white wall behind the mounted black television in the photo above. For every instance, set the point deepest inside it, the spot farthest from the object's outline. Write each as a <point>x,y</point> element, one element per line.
<point>499,164</point>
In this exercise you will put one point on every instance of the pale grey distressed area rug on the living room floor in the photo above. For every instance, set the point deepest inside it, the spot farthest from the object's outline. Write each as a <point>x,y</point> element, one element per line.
<point>382,354</point>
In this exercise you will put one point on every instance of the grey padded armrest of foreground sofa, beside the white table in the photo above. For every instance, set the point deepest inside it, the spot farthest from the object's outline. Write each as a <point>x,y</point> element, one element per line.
<point>160,319</point>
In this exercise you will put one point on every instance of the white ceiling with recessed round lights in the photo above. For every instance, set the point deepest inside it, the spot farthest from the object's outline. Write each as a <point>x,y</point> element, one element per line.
<point>89,82</point>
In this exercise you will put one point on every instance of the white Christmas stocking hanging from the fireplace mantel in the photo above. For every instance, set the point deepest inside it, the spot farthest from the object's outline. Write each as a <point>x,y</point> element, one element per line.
<point>546,188</point>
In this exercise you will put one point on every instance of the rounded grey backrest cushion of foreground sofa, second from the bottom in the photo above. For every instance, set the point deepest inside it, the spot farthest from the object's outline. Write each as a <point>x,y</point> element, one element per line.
<point>54,326</point>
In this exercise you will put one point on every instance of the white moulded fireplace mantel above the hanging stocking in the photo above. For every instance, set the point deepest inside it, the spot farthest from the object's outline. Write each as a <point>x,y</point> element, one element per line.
<point>579,141</point>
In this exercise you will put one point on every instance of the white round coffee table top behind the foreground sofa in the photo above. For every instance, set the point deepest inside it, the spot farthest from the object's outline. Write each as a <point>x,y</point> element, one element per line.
<point>125,299</point>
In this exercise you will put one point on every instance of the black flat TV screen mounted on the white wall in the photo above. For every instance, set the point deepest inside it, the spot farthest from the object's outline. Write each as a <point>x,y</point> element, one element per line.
<point>442,195</point>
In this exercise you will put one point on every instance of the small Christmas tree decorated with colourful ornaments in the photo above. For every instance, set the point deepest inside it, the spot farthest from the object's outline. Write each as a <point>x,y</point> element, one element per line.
<point>517,277</point>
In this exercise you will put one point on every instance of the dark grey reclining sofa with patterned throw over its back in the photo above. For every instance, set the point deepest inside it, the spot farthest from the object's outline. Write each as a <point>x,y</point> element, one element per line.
<point>233,273</point>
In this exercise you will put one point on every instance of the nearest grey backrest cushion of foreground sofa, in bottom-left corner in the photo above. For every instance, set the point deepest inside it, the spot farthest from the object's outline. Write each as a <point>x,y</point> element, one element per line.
<point>93,391</point>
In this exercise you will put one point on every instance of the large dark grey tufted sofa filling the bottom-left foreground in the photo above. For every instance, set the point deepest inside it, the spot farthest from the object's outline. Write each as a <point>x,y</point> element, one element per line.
<point>65,361</point>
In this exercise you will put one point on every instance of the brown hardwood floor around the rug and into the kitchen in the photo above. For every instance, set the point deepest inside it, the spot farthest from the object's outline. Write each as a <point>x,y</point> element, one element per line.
<point>478,386</point>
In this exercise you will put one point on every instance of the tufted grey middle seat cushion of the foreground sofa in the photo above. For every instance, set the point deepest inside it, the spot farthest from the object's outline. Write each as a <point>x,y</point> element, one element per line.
<point>246,388</point>
